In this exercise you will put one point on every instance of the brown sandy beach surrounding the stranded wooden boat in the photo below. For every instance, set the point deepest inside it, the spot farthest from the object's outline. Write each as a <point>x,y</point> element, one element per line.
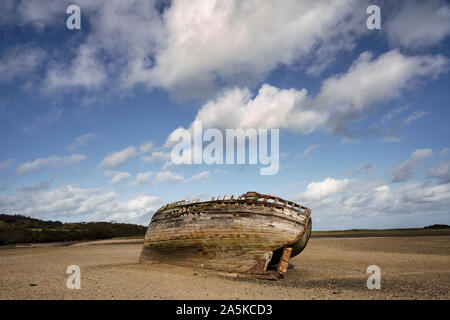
<point>329,268</point>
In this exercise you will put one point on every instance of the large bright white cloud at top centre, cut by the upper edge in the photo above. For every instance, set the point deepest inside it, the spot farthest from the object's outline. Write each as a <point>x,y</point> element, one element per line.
<point>228,41</point>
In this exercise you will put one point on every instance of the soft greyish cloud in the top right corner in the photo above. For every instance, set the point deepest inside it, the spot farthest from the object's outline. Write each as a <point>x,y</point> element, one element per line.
<point>419,24</point>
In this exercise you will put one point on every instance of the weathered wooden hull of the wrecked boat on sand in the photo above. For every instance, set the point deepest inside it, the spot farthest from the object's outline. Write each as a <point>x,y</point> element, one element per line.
<point>254,235</point>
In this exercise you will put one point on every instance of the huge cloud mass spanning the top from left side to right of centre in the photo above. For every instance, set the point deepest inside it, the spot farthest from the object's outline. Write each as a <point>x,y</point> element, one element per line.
<point>192,46</point>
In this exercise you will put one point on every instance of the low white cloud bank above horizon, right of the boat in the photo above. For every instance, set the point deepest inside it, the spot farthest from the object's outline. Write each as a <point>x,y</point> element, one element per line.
<point>334,199</point>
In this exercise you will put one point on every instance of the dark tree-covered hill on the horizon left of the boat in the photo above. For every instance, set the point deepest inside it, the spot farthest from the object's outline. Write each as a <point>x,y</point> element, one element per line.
<point>21,229</point>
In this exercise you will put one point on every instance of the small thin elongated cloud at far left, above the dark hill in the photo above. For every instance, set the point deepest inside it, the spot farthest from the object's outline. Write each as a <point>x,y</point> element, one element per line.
<point>52,162</point>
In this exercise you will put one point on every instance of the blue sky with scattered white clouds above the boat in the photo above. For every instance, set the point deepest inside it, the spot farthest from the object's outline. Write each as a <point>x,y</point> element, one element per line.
<point>85,115</point>
